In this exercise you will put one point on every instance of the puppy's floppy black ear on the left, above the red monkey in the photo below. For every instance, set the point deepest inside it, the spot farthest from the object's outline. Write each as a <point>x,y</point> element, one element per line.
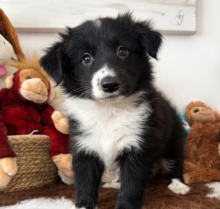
<point>52,62</point>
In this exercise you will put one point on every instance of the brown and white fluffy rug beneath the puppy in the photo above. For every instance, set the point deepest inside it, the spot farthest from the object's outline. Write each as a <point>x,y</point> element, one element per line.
<point>156,197</point>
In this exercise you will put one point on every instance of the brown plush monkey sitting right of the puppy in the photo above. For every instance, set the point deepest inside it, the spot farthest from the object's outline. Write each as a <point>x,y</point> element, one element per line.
<point>202,160</point>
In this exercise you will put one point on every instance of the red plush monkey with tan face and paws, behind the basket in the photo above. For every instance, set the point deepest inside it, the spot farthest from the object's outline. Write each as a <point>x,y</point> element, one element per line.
<point>24,110</point>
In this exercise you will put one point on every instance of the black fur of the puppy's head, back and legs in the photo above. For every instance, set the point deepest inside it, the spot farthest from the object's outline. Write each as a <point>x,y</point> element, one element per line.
<point>165,138</point>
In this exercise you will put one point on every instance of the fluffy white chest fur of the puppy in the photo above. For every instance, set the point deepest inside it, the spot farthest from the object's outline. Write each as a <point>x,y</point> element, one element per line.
<point>108,128</point>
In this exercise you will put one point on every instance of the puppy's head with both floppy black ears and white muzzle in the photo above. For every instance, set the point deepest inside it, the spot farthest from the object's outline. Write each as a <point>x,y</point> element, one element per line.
<point>104,58</point>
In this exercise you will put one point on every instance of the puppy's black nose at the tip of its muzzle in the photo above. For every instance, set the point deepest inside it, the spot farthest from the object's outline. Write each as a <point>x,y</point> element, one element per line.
<point>110,84</point>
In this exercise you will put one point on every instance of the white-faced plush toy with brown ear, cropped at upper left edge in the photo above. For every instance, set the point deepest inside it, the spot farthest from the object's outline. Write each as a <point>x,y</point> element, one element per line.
<point>9,47</point>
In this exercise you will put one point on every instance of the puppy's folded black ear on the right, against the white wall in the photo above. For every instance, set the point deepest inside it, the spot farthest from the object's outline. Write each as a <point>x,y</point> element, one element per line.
<point>150,39</point>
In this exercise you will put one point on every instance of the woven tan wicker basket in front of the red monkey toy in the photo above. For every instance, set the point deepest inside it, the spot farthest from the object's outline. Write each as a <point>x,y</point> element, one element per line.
<point>35,166</point>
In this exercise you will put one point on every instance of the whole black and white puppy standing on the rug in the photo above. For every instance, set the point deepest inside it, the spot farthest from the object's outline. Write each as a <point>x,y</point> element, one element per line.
<point>118,120</point>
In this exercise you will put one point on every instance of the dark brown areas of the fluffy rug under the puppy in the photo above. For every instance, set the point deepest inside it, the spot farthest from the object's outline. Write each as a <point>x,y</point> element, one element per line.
<point>157,197</point>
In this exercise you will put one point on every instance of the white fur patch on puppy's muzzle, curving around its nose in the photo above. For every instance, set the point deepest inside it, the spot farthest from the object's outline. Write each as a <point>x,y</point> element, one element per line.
<point>103,72</point>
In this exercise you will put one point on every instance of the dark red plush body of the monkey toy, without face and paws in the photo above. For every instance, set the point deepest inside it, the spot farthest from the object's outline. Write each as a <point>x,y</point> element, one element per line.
<point>19,116</point>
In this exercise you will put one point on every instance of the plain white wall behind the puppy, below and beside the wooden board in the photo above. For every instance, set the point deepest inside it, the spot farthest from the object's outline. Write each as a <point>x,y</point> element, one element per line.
<point>189,66</point>
